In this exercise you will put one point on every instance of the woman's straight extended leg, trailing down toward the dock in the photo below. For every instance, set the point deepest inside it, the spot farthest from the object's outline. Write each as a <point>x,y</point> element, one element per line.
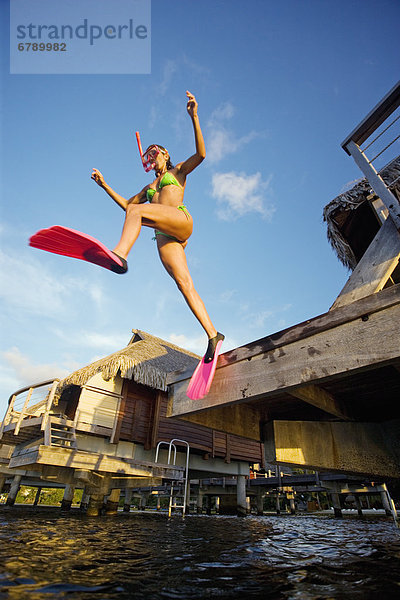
<point>173,258</point>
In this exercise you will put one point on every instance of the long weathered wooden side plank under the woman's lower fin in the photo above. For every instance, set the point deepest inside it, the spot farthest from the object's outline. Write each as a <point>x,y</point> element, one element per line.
<point>327,354</point>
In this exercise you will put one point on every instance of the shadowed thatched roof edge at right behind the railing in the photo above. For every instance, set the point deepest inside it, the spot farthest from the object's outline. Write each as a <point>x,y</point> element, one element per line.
<point>350,201</point>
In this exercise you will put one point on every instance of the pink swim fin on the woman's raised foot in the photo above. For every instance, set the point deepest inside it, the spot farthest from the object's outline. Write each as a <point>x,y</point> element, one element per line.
<point>68,242</point>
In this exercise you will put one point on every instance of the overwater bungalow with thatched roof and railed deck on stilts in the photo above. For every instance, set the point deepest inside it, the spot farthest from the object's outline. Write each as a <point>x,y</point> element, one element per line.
<point>105,427</point>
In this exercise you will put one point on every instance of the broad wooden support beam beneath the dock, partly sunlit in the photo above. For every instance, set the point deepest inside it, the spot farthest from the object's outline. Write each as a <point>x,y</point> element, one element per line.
<point>359,448</point>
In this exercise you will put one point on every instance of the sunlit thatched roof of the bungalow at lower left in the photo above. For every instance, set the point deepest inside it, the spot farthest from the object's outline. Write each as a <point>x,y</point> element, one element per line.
<point>146,359</point>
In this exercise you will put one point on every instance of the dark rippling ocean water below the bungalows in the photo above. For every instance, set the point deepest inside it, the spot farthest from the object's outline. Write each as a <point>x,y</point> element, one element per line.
<point>47,555</point>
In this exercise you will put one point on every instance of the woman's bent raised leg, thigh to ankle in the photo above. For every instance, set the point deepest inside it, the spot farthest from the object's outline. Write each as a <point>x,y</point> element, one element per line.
<point>167,219</point>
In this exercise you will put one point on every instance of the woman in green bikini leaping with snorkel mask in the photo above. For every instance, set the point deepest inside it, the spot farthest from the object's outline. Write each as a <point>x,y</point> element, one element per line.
<point>169,217</point>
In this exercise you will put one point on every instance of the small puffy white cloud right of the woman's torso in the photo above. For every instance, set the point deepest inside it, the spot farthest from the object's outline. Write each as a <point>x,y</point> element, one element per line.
<point>240,194</point>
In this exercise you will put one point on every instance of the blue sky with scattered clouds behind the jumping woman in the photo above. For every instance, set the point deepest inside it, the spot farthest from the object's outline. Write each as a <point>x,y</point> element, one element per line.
<point>279,86</point>
